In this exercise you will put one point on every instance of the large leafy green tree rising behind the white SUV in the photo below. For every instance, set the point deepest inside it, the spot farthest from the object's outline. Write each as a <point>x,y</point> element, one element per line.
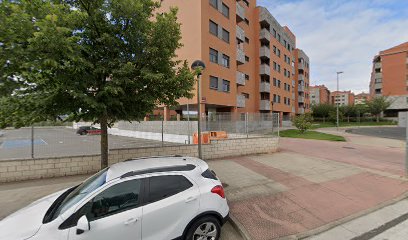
<point>95,60</point>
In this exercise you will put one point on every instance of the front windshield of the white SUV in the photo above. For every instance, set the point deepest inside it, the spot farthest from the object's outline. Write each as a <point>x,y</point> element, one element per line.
<point>81,192</point>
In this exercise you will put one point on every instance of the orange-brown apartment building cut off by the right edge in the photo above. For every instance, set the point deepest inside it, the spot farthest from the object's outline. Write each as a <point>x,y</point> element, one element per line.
<point>389,77</point>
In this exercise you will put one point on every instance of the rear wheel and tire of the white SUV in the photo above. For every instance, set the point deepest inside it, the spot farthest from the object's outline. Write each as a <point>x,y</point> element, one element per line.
<point>207,226</point>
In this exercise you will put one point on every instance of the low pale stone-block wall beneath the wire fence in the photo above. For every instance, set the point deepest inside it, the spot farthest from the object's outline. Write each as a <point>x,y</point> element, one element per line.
<point>25,169</point>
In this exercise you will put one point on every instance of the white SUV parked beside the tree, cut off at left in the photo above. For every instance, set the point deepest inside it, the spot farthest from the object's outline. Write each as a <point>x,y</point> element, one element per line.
<point>157,198</point>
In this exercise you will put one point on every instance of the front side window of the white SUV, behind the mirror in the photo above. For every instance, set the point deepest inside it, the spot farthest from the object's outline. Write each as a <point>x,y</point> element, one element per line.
<point>118,198</point>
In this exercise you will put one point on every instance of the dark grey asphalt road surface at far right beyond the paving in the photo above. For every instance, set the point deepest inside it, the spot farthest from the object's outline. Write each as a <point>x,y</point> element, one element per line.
<point>398,133</point>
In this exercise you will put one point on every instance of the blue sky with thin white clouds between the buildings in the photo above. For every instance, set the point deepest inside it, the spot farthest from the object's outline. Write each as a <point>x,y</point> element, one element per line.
<point>342,35</point>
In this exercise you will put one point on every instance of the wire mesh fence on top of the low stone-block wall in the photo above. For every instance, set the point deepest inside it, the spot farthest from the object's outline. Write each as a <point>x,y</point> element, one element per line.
<point>68,140</point>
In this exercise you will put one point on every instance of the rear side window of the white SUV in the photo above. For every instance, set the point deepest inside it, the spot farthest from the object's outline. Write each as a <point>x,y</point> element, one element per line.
<point>161,187</point>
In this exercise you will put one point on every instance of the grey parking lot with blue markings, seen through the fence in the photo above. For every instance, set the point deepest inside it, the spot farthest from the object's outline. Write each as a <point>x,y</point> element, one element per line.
<point>61,141</point>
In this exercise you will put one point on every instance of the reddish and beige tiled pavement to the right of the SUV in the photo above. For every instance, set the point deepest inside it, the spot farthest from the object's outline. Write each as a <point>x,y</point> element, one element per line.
<point>309,184</point>
